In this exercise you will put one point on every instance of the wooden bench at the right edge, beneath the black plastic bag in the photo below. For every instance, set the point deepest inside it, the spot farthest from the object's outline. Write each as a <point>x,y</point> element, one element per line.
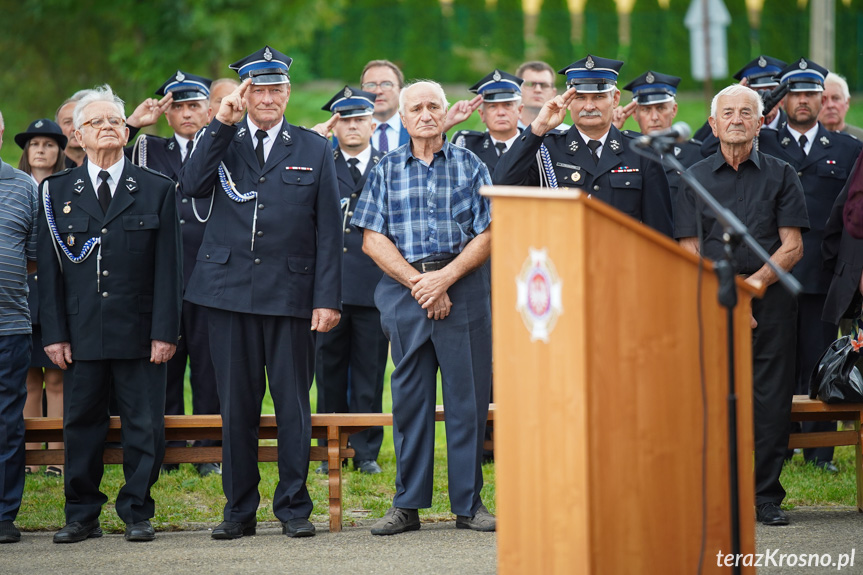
<point>805,409</point>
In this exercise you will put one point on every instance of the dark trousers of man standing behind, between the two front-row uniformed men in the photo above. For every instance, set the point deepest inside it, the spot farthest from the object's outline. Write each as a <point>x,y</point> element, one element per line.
<point>194,348</point>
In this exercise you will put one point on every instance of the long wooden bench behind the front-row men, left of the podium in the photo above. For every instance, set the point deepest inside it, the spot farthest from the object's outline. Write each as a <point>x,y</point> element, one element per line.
<point>335,428</point>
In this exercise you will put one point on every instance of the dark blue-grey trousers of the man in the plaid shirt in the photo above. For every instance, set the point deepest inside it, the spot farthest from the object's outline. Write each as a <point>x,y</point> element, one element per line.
<point>460,346</point>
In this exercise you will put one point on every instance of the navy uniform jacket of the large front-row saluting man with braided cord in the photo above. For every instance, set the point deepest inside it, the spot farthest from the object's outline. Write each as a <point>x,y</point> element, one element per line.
<point>280,253</point>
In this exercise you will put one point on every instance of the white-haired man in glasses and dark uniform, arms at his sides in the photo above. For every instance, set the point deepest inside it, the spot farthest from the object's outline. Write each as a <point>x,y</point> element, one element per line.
<point>110,288</point>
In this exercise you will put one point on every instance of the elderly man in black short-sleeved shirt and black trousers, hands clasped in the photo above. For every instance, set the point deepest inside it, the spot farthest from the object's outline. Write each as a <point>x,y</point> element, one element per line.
<point>766,195</point>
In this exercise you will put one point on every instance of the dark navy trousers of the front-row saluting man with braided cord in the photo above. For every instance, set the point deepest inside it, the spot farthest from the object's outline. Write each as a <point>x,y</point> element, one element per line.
<point>242,345</point>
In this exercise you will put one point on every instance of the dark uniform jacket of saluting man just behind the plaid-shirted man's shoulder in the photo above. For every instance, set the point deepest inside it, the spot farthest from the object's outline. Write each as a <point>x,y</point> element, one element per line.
<point>360,274</point>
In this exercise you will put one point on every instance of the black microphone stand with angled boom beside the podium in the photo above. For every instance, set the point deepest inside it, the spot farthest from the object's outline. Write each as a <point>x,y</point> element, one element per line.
<point>733,234</point>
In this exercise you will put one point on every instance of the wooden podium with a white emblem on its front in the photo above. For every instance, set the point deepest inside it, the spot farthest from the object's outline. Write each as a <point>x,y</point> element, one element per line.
<point>599,431</point>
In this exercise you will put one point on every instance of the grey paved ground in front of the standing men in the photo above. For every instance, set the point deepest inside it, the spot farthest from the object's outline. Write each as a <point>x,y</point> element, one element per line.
<point>438,548</point>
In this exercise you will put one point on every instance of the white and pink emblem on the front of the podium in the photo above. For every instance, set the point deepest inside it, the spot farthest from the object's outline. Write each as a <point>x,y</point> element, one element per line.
<point>539,297</point>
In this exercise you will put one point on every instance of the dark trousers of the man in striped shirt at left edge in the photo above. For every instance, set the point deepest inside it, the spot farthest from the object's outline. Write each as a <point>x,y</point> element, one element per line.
<point>14,362</point>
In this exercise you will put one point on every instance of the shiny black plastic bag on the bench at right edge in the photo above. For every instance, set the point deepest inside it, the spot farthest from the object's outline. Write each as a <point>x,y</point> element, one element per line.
<point>836,379</point>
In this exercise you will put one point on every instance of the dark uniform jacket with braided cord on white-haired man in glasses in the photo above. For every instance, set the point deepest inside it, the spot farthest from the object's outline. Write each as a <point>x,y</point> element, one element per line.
<point>110,308</point>
